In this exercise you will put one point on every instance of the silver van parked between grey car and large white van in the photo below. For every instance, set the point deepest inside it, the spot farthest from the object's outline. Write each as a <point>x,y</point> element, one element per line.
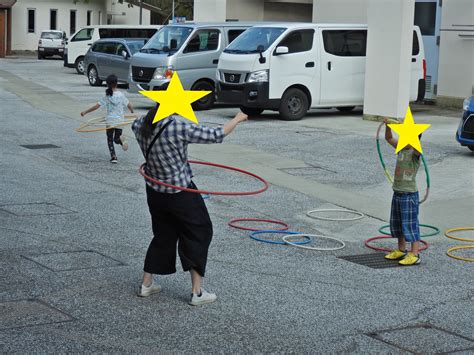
<point>191,49</point>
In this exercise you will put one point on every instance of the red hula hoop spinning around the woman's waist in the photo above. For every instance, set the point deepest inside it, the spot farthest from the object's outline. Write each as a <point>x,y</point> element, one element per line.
<point>245,193</point>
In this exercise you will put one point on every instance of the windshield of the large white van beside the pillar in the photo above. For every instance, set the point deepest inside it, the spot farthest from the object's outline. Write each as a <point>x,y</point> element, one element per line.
<point>251,39</point>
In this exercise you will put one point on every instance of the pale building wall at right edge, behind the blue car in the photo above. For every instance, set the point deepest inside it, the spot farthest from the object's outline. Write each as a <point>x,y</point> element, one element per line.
<point>456,62</point>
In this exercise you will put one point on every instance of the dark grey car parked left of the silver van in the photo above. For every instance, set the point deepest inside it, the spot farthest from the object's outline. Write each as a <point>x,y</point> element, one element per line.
<point>110,56</point>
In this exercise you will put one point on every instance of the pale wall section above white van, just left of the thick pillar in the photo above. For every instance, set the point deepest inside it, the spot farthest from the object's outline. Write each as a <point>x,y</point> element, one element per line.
<point>340,11</point>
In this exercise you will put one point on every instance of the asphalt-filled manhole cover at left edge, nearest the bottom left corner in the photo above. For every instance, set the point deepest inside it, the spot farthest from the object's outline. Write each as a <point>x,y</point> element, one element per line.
<point>28,313</point>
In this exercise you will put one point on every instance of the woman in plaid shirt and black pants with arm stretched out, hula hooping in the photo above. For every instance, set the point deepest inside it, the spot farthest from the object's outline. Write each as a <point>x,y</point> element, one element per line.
<point>178,217</point>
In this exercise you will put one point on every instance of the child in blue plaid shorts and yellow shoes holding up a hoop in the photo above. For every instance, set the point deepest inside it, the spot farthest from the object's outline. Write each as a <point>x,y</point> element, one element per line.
<point>404,223</point>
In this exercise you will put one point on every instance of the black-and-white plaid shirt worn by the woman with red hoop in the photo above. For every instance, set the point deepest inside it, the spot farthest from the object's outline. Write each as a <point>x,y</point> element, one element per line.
<point>168,159</point>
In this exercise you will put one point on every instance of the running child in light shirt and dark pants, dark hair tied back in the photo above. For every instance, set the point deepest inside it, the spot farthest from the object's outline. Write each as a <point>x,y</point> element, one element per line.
<point>115,103</point>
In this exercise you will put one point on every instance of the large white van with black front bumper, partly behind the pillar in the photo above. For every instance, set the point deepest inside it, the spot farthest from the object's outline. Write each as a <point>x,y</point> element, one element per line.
<point>293,67</point>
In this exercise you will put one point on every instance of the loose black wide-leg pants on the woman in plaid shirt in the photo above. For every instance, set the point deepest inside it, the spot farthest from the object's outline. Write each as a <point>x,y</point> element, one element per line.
<point>181,220</point>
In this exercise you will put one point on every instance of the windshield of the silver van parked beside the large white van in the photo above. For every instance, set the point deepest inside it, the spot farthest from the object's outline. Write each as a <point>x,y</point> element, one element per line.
<point>168,39</point>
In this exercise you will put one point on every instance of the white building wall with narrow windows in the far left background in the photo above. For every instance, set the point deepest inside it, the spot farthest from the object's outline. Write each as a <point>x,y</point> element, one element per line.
<point>22,40</point>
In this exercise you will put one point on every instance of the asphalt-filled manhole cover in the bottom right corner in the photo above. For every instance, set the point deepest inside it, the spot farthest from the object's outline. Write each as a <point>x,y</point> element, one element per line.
<point>424,339</point>
